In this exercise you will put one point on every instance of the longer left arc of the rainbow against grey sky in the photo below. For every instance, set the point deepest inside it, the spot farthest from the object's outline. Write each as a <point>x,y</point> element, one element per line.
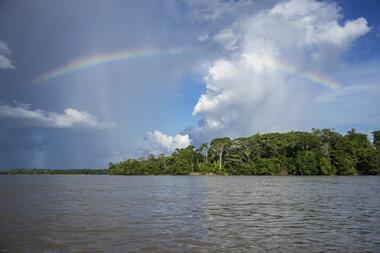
<point>98,59</point>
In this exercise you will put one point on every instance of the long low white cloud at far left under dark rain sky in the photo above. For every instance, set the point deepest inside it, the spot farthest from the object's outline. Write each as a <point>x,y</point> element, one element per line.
<point>23,115</point>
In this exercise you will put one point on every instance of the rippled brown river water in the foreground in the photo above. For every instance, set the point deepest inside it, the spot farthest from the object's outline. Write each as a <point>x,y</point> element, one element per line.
<point>189,214</point>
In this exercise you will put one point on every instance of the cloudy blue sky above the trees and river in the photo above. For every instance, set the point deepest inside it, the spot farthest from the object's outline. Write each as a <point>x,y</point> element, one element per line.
<point>239,67</point>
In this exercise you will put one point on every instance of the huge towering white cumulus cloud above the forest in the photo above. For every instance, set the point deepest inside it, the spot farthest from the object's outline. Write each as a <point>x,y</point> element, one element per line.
<point>258,85</point>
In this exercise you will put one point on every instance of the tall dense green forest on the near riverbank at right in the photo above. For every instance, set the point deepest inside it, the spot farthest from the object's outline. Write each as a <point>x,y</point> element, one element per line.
<point>319,152</point>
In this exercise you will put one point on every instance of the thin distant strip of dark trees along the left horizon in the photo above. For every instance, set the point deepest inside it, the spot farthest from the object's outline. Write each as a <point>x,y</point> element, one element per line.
<point>55,172</point>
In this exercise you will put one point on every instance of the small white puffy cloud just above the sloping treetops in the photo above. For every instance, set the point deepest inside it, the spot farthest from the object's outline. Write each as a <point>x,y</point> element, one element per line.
<point>162,143</point>
